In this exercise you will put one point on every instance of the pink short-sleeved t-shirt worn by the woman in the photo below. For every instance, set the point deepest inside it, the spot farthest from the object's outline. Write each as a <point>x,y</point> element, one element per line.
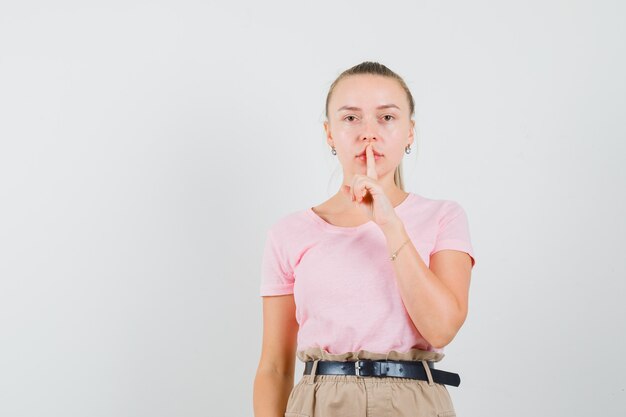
<point>342,280</point>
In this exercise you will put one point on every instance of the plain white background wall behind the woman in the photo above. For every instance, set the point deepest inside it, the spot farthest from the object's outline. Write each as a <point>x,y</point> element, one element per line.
<point>146,147</point>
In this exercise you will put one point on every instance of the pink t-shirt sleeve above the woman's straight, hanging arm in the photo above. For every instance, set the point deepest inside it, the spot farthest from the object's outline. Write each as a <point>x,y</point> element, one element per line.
<point>276,273</point>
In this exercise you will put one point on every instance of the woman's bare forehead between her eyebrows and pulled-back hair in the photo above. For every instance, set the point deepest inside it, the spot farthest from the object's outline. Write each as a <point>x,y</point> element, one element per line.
<point>367,92</point>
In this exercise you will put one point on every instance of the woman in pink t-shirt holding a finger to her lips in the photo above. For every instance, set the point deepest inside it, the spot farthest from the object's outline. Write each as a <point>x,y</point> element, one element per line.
<point>368,287</point>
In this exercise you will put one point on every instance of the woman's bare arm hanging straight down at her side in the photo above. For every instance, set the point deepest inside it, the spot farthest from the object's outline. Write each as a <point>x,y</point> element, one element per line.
<point>275,374</point>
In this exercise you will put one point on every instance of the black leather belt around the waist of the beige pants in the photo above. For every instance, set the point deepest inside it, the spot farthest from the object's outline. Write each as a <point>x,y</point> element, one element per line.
<point>383,368</point>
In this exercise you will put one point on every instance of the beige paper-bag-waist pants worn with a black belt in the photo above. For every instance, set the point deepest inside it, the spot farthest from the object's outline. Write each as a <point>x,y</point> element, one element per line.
<point>354,396</point>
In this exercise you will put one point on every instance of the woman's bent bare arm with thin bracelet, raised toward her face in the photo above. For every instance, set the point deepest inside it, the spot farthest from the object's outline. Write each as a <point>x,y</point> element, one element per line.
<point>436,298</point>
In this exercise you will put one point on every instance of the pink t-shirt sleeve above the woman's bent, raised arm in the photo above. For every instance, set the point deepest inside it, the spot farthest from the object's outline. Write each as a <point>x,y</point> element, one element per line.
<point>454,232</point>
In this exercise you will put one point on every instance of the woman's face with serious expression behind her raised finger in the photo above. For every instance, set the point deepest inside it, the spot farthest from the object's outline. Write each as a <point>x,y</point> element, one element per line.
<point>368,108</point>
